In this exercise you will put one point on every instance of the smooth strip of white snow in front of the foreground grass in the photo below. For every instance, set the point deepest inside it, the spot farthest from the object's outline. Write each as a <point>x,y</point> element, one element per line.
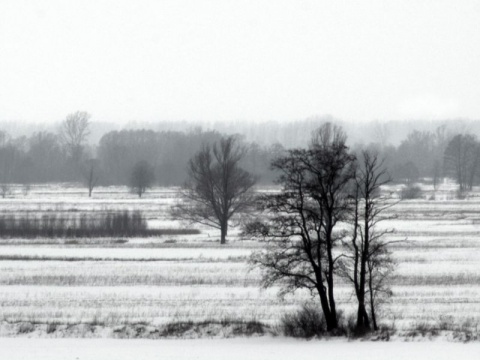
<point>241,349</point>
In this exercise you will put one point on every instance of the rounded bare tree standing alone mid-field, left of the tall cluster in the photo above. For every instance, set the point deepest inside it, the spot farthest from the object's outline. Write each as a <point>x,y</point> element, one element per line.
<point>217,187</point>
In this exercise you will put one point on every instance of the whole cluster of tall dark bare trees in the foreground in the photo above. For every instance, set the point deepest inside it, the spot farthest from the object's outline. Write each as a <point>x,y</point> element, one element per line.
<point>324,186</point>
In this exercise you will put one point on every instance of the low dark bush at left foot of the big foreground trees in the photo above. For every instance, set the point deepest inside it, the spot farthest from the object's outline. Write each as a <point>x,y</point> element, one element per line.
<point>307,322</point>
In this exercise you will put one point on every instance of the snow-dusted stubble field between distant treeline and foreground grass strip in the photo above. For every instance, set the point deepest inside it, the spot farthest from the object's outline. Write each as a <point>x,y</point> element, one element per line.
<point>179,278</point>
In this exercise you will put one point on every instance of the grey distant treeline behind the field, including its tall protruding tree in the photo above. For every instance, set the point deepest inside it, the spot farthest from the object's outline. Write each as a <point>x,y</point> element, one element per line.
<point>67,155</point>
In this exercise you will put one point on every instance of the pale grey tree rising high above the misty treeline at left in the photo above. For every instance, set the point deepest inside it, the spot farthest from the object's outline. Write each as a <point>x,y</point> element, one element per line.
<point>74,132</point>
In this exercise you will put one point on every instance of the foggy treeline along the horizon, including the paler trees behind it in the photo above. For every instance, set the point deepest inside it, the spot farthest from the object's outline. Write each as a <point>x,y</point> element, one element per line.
<point>44,157</point>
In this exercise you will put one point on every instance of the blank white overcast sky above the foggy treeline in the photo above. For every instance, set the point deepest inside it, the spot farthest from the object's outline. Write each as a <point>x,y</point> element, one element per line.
<point>239,60</point>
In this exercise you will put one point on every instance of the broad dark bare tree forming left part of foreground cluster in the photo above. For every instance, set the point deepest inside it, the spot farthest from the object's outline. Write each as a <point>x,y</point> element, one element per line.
<point>302,232</point>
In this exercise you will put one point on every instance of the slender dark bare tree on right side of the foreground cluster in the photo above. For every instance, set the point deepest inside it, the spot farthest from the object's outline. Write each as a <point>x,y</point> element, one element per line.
<point>367,255</point>
